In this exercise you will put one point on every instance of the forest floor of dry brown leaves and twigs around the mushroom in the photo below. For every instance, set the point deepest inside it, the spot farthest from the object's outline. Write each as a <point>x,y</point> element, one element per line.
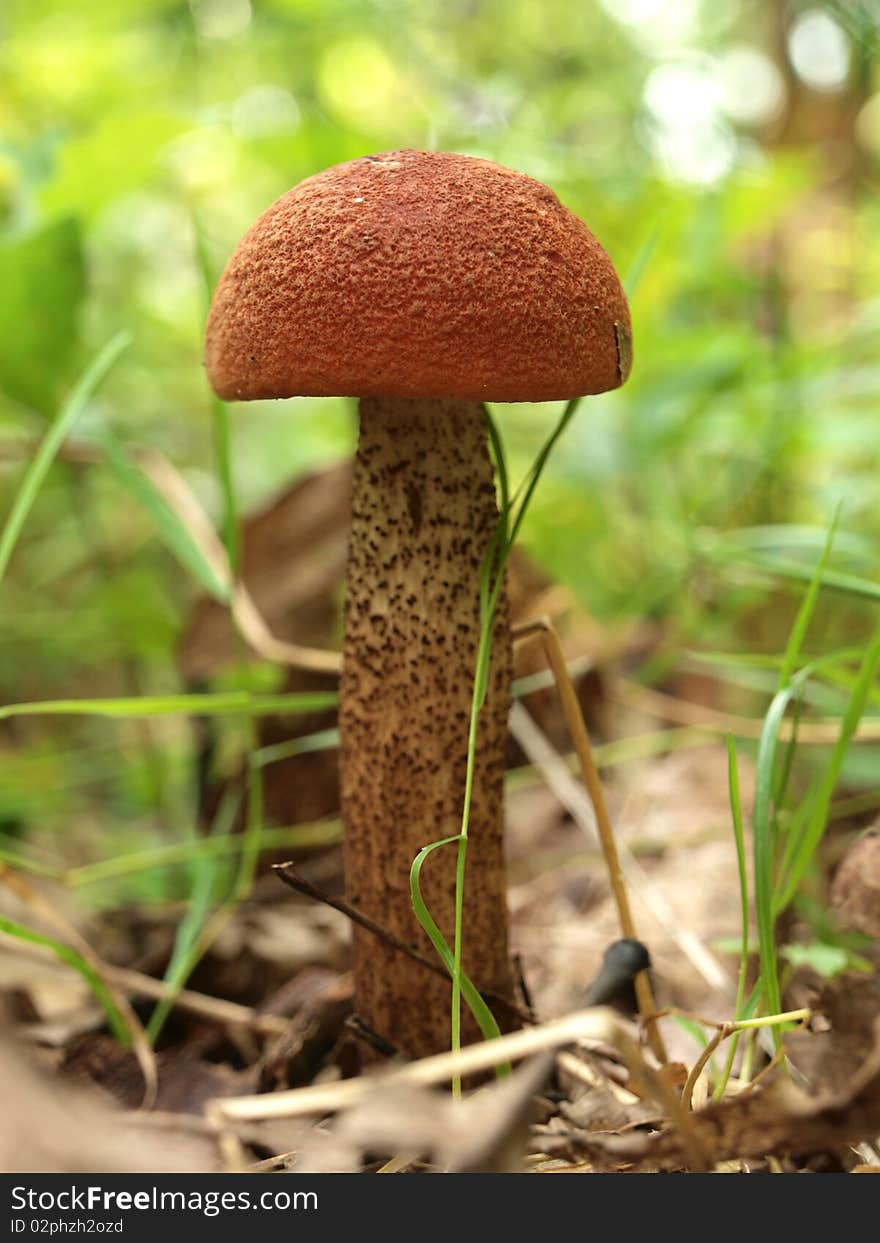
<point>598,1103</point>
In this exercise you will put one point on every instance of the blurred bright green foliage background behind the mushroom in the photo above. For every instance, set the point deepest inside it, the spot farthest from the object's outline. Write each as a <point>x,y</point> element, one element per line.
<point>725,155</point>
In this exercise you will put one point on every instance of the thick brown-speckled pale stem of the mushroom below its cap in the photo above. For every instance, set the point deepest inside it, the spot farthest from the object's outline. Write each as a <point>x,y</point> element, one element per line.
<point>423,513</point>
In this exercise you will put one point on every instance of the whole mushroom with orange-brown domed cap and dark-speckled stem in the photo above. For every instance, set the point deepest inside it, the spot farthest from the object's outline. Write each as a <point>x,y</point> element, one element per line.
<point>423,284</point>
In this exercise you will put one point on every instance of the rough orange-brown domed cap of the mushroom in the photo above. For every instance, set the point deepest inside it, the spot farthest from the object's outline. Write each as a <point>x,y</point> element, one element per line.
<point>418,274</point>
